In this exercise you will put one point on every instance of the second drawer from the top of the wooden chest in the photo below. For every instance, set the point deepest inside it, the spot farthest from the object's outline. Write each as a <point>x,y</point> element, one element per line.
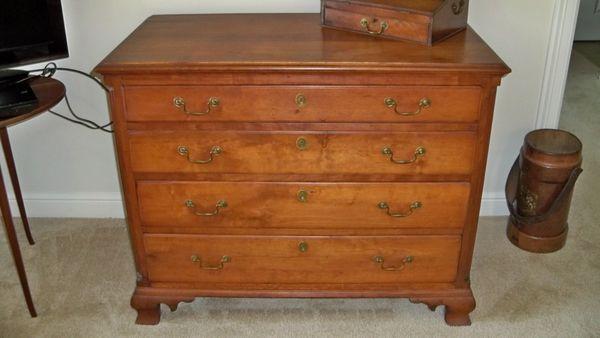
<point>429,153</point>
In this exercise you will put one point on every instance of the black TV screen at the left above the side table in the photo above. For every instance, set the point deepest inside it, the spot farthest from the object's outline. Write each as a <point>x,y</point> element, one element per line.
<point>31,31</point>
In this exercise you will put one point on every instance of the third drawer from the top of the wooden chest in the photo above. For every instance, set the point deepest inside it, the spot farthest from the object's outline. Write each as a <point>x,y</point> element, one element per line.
<point>303,205</point>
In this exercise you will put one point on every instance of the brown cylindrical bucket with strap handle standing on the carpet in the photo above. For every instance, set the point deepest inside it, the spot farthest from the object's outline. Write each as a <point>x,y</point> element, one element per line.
<point>539,190</point>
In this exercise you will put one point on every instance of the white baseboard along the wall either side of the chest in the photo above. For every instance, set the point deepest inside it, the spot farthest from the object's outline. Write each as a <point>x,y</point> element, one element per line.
<point>110,205</point>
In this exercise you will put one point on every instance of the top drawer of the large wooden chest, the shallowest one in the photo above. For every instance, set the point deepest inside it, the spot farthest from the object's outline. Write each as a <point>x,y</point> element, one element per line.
<point>302,103</point>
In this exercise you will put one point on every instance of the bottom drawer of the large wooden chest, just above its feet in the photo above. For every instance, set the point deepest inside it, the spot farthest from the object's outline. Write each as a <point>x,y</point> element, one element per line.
<point>238,259</point>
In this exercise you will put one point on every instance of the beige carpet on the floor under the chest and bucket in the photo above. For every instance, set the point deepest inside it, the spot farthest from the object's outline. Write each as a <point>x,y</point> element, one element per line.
<point>82,276</point>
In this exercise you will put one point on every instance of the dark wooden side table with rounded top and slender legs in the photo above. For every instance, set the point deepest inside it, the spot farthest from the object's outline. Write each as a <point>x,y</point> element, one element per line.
<point>49,93</point>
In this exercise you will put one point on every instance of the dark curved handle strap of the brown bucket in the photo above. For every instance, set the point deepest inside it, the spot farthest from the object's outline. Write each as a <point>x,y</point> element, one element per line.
<point>511,190</point>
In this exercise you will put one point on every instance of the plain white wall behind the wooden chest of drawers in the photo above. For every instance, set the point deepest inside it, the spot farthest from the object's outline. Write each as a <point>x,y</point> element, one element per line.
<point>68,171</point>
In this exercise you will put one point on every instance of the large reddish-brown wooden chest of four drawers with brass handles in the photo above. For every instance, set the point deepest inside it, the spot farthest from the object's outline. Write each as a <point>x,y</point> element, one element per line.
<point>258,161</point>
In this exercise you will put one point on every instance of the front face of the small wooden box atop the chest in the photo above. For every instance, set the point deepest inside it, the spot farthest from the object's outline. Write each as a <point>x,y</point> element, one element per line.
<point>375,21</point>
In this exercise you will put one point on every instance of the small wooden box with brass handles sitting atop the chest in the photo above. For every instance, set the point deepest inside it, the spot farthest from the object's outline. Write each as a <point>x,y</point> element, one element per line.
<point>421,21</point>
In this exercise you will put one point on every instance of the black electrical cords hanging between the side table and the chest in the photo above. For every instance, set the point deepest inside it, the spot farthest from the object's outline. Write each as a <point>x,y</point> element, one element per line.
<point>48,71</point>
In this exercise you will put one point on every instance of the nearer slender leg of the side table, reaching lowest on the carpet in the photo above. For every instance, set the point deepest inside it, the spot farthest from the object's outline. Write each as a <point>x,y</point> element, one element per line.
<point>14,246</point>
